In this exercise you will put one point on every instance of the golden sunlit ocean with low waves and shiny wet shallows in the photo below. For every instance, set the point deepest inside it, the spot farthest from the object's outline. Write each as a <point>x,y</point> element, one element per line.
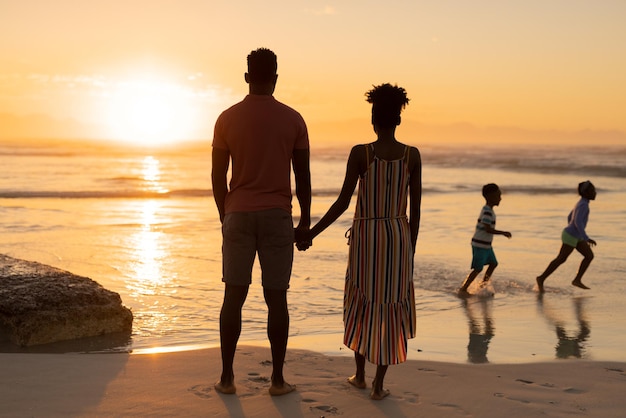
<point>144,224</point>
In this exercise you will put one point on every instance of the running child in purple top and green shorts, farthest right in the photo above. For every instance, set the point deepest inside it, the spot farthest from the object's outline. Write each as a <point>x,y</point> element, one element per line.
<point>574,237</point>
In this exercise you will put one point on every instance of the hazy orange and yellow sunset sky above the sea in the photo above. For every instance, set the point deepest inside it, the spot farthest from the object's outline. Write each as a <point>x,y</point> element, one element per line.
<point>163,70</point>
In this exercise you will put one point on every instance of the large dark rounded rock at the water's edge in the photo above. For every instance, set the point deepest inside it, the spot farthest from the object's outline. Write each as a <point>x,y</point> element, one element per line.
<point>40,304</point>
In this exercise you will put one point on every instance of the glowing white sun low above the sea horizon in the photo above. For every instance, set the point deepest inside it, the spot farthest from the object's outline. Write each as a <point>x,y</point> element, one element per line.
<point>150,111</point>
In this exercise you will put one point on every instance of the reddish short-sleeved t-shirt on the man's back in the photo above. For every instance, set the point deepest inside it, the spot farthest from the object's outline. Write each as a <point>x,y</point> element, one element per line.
<point>260,133</point>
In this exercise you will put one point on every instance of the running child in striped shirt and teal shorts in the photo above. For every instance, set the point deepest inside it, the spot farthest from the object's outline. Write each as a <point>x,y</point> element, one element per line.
<point>482,251</point>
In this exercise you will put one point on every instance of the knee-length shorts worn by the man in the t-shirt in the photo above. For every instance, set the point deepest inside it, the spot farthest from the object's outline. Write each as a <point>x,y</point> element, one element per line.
<point>268,233</point>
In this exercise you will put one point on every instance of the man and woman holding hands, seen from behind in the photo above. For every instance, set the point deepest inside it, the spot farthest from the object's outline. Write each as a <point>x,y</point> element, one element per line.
<point>263,138</point>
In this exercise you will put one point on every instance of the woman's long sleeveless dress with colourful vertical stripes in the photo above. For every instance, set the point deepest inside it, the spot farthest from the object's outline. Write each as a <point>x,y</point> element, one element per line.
<point>379,299</point>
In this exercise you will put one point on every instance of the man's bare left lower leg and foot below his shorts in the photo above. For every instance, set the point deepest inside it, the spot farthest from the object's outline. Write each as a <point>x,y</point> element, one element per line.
<point>230,329</point>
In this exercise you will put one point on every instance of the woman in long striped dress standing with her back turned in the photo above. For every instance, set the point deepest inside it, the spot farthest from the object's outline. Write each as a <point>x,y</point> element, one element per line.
<point>379,299</point>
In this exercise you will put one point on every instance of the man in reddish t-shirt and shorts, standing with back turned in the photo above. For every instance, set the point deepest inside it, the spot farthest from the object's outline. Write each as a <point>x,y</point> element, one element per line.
<point>263,138</point>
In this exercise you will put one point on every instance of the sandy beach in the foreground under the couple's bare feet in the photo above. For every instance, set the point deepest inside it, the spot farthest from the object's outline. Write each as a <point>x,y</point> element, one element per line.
<point>181,384</point>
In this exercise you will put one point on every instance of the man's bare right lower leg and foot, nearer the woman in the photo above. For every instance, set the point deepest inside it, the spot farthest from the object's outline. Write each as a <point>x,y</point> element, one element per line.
<point>278,334</point>
